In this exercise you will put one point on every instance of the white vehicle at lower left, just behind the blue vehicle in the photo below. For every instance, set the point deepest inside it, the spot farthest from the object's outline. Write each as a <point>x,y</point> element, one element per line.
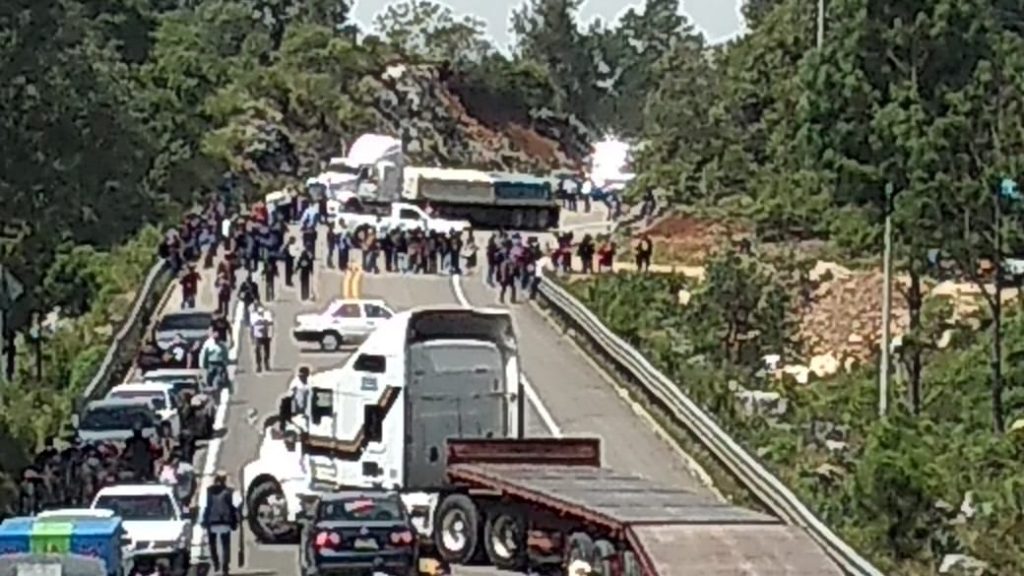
<point>153,520</point>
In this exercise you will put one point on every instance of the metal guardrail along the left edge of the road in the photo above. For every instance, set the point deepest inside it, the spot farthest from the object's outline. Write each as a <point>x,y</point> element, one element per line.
<point>122,351</point>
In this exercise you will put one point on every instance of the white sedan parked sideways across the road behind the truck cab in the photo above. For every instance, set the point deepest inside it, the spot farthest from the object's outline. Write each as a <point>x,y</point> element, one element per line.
<point>345,321</point>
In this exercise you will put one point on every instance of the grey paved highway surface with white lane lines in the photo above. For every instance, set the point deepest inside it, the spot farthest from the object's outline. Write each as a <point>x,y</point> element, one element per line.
<point>568,395</point>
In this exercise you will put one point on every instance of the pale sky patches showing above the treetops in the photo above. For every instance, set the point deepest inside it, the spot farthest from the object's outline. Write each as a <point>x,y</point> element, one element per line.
<point>719,20</point>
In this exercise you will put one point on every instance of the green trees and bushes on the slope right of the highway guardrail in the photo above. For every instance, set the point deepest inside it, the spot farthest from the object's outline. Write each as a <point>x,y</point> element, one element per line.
<point>791,148</point>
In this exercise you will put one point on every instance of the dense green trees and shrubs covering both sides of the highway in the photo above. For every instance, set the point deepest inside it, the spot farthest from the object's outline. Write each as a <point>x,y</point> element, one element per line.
<point>120,115</point>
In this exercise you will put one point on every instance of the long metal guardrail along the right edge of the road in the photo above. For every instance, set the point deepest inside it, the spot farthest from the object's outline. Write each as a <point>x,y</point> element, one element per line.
<point>750,473</point>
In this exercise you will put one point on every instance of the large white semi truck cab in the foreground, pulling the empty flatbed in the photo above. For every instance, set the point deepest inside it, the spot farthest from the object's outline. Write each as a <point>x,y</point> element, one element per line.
<point>383,420</point>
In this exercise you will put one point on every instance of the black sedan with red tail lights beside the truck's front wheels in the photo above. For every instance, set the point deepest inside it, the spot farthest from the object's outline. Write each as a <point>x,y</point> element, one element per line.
<point>359,533</point>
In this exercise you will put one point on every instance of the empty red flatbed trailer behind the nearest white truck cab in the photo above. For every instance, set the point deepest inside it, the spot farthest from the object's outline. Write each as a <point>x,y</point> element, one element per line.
<point>549,502</point>
